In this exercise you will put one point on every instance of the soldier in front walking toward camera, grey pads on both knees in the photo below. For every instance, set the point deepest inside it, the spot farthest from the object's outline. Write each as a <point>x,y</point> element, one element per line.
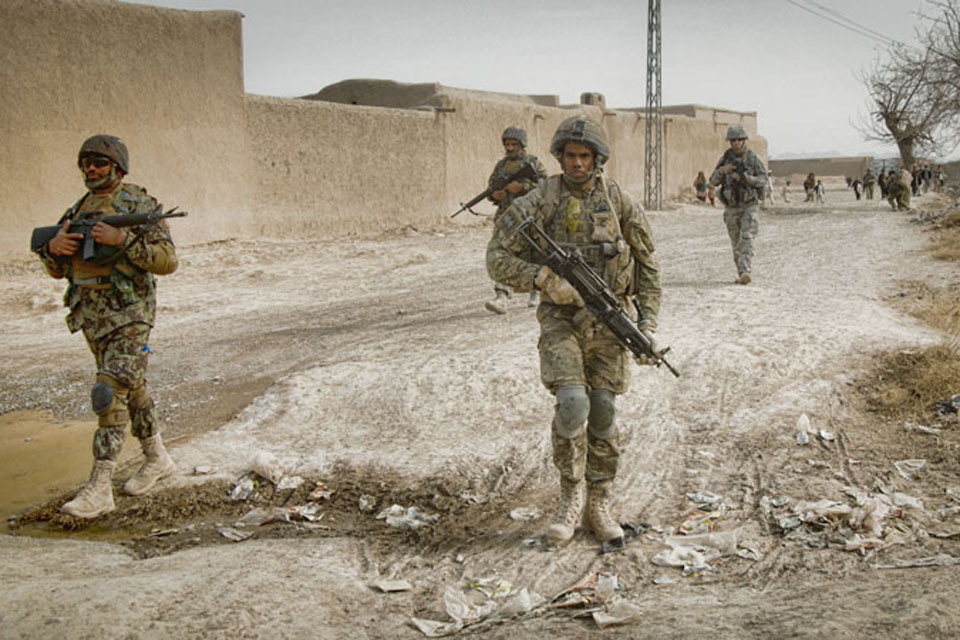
<point>581,361</point>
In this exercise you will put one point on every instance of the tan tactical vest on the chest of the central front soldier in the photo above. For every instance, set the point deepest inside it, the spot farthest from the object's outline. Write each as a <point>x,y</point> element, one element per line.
<point>591,225</point>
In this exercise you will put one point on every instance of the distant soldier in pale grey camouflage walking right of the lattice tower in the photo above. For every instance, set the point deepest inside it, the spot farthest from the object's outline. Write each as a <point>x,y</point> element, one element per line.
<point>740,176</point>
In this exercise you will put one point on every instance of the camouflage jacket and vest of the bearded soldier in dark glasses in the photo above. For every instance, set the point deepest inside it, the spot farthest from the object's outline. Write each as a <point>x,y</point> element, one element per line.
<point>128,292</point>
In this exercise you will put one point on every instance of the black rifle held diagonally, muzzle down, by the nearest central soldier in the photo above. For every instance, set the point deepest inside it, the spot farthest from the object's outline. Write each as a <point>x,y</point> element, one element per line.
<point>598,297</point>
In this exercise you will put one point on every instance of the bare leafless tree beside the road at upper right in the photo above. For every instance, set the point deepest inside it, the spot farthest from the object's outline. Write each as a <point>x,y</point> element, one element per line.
<point>910,107</point>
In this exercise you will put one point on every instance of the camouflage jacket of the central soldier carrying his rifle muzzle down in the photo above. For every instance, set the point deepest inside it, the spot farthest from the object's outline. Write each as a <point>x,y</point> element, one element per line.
<point>605,224</point>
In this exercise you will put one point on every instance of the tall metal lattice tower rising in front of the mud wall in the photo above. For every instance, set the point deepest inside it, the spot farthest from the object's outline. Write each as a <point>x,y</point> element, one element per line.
<point>653,162</point>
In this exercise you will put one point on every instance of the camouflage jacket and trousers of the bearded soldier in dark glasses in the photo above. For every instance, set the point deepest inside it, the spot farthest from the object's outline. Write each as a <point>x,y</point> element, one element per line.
<point>114,304</point>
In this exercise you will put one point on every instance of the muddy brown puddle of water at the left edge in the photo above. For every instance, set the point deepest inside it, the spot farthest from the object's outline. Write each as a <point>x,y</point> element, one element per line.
<point>41,457</point>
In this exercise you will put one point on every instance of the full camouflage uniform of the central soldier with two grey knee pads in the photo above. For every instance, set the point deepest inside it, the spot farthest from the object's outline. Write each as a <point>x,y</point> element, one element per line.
<point>577,351</point>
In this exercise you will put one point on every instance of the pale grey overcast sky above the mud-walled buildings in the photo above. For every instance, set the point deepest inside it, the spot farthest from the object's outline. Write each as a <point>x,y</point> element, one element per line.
<point>795,69</point>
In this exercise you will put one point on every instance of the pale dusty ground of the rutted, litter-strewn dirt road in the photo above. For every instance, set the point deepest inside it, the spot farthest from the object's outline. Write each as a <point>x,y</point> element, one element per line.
<point>372,367</point>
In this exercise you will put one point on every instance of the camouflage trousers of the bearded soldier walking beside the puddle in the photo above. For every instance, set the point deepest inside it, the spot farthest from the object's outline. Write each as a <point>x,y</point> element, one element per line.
<point>122,364</point>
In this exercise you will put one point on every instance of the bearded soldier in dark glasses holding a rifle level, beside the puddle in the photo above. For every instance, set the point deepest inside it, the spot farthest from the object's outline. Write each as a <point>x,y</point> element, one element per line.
<point>112,299</point>
